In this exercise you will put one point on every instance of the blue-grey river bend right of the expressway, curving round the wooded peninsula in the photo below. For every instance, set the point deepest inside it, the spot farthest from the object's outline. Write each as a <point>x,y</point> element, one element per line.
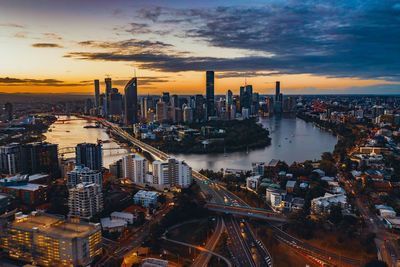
<point>292,139</point>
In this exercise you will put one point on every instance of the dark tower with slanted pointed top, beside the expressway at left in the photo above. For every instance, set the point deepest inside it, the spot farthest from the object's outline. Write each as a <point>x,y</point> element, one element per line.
<point>131,106</point>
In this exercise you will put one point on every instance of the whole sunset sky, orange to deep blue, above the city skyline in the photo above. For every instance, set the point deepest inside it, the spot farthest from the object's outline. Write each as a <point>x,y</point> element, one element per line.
<point>313,47</point>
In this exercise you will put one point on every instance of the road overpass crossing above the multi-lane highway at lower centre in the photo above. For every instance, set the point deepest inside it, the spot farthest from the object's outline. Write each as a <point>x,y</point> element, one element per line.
<point>246,211</point>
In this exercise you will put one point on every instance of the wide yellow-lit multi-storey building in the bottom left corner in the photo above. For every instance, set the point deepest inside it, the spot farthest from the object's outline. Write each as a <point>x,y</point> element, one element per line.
<point>51,240</point>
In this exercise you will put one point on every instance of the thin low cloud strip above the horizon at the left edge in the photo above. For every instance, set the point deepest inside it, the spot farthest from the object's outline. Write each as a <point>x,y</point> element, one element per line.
<point>8,81</point>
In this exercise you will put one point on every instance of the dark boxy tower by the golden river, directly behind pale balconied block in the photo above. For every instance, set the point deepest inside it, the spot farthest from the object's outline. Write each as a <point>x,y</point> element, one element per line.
<point>89,155</point>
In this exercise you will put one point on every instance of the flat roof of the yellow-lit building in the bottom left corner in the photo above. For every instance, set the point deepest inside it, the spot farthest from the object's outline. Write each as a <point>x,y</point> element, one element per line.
<point>54,226</point>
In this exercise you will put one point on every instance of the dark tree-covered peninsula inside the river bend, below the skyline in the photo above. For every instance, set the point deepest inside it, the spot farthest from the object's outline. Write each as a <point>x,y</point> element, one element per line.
<point>217,137</point>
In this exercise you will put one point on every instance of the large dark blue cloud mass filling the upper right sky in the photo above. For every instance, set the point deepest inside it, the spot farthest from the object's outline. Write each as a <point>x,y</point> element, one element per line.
<point>357,39</point>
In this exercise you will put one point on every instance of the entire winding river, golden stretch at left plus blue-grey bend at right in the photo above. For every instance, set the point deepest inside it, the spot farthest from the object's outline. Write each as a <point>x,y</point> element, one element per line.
<point>292,140</point>
